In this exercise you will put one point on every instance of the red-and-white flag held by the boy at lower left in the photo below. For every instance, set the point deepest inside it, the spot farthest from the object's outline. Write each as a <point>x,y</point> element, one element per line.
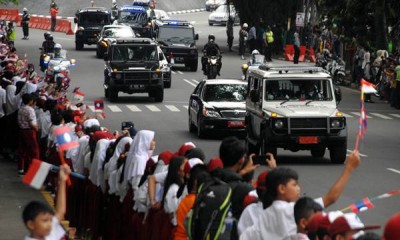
<point>36,174</point>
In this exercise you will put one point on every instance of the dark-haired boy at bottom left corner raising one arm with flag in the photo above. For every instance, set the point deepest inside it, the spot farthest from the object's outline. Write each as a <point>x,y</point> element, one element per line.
<point>41,220</point>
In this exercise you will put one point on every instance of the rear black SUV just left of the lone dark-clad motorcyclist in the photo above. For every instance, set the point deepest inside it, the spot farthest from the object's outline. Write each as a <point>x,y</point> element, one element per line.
<point>177,39</point>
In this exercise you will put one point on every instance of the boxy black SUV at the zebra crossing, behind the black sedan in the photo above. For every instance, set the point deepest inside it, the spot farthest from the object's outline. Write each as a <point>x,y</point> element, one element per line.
<point>133,66</point>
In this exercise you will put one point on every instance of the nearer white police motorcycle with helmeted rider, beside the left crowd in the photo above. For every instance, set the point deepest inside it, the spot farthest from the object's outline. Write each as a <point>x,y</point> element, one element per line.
<point>58,68</point>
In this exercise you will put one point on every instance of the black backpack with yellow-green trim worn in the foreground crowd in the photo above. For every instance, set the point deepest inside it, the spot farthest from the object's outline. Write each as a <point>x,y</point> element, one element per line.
<point>208,217</point>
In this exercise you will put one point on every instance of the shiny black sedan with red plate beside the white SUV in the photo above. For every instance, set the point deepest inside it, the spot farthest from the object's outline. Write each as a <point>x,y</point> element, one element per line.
<point>218,106</point>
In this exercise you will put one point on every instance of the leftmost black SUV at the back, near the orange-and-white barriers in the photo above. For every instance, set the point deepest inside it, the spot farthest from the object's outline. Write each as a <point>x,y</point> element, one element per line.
<point>90,21</point>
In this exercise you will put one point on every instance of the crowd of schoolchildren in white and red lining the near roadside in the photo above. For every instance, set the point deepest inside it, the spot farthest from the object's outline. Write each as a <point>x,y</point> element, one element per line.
<point>133,193</point>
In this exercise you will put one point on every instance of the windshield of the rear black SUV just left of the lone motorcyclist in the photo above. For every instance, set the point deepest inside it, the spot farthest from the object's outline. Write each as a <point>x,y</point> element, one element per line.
<point>176,34</point>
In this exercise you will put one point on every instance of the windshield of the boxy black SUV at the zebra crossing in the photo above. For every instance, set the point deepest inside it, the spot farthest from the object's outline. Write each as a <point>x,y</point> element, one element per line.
<point>134,53</point>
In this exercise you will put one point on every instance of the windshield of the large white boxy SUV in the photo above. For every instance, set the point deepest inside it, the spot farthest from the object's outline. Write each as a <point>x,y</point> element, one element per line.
<point>298,90</point>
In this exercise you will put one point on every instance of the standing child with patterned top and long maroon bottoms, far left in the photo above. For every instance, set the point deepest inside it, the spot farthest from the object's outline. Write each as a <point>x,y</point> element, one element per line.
<point>28,147</point>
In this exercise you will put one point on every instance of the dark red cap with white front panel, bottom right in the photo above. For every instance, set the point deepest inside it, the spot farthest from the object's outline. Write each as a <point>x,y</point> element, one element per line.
<point>348,222</point>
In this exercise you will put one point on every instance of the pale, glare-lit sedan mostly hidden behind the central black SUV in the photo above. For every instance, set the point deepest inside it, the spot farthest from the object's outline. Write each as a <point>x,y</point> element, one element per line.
<point>109,33</point>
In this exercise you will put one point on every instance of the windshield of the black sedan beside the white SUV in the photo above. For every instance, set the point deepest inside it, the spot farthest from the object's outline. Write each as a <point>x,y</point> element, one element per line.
<point>224,93</point>
